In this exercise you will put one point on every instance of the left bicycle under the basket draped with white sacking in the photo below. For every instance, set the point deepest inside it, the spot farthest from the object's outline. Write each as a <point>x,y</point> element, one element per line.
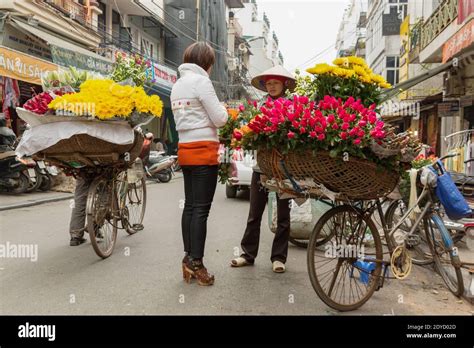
<point>116,194</point>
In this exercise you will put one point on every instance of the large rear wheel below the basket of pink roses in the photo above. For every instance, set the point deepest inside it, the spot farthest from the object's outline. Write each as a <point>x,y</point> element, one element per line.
<point>344,258</point>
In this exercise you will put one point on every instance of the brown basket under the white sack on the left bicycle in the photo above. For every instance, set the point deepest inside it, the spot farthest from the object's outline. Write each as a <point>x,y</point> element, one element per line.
<point>83,149</point>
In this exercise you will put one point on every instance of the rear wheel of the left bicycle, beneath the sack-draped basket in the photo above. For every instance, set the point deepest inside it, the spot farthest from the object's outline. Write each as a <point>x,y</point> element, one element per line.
<point>101,216</point>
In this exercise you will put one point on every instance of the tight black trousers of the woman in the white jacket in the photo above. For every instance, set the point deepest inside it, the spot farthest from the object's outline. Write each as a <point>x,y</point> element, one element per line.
<point>199,188</point>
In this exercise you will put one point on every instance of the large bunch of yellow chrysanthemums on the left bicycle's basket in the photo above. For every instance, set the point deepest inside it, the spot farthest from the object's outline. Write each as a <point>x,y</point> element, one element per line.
<point>106,99</point>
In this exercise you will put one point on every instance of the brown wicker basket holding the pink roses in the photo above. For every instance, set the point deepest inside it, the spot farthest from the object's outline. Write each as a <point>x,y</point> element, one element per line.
<point>355,179</point>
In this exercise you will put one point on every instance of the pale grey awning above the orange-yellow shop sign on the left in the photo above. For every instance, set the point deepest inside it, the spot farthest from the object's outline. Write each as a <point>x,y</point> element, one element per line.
<point>66,53</point>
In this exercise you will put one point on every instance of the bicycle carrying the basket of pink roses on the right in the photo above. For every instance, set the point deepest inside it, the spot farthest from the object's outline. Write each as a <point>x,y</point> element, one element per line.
<point>347,236</point>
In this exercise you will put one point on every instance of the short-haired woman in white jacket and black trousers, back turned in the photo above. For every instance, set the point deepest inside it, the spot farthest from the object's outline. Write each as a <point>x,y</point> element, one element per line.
<point>197,114</point>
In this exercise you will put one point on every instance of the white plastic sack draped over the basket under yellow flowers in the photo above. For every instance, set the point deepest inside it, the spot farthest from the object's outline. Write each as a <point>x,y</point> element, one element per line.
<point>42,136</point>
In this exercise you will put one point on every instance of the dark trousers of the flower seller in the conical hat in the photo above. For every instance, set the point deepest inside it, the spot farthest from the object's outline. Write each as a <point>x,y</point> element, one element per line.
<point>251,239</point>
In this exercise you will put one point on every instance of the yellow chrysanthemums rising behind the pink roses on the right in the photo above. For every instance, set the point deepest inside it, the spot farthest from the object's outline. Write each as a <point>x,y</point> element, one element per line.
<point>348,67</point>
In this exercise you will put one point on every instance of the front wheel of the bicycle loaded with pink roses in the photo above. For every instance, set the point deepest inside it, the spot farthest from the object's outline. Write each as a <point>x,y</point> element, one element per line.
<point>445,255</point>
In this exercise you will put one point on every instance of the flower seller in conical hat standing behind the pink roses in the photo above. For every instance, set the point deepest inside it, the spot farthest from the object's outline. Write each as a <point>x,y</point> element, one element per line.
<point>275,82</point>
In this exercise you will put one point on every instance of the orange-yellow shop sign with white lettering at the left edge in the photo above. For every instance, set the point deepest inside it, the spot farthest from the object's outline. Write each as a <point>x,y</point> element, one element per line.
<point>23,67</point>
